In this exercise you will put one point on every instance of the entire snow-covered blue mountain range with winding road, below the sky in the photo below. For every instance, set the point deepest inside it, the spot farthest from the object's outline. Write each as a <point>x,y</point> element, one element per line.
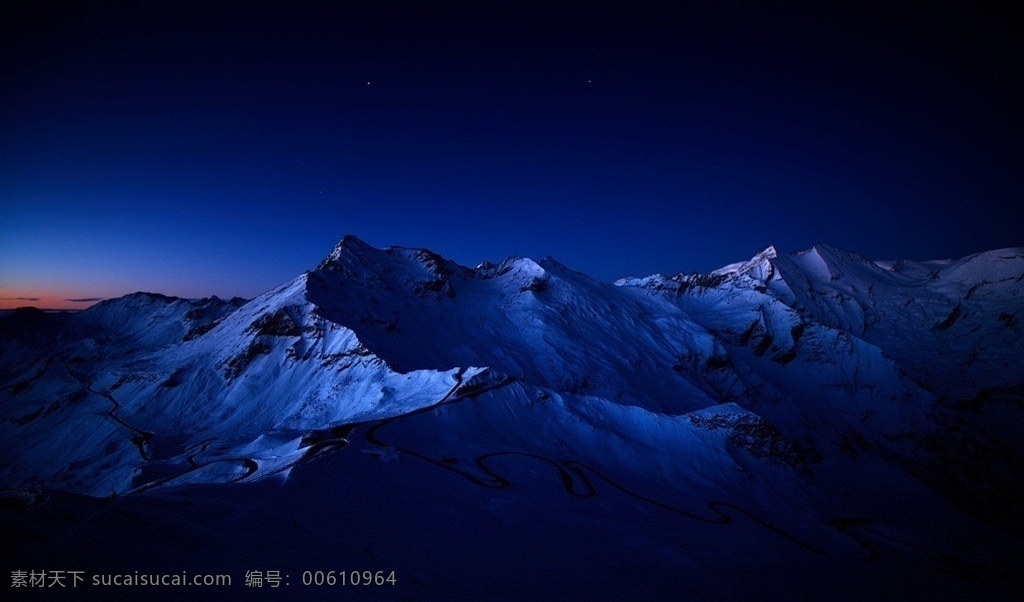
<point>793,417</point>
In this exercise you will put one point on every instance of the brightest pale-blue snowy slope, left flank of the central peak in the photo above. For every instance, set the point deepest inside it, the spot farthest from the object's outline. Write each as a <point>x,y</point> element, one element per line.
<point>150,388</point>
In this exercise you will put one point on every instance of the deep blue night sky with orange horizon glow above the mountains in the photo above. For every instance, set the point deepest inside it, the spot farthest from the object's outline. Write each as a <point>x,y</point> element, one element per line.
<point>195,151</point>
